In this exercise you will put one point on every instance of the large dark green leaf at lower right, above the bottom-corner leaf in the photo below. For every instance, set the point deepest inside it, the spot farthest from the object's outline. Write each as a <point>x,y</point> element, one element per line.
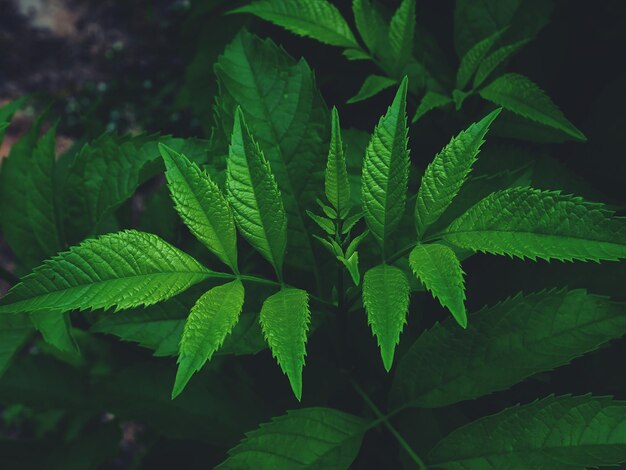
<point>504,345</point>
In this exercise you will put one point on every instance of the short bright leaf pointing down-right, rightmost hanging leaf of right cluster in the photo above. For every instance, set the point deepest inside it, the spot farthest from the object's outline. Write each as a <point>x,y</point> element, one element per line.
<point>439,269</point>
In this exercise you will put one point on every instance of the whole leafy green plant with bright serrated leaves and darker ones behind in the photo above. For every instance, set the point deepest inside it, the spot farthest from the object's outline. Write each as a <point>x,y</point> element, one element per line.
<point>299,236</point>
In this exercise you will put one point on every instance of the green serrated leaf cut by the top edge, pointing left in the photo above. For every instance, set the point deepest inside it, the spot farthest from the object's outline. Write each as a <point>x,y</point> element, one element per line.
<point>317,19</point>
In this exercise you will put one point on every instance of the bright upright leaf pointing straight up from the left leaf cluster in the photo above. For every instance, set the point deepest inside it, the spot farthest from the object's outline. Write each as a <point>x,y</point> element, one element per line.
<point>253,194</point>
